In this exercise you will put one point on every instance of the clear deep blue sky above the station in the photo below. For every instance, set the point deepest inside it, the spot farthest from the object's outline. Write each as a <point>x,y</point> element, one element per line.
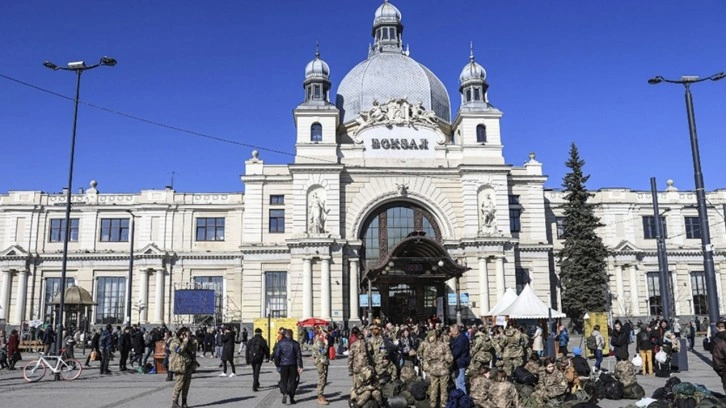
<point>561,71</point>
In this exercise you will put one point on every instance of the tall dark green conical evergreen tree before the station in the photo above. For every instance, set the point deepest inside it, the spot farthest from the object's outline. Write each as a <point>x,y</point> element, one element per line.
<point>583,274</point>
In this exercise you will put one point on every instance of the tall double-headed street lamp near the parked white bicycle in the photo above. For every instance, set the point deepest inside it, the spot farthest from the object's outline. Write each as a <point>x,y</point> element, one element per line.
<point>78,67</point>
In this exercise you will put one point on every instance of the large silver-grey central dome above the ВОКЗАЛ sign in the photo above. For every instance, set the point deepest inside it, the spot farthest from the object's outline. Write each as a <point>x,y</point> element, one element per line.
<point>384,76</point>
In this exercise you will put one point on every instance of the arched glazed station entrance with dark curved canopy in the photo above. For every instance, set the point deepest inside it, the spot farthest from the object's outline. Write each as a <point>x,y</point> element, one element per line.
<point>404,264</point>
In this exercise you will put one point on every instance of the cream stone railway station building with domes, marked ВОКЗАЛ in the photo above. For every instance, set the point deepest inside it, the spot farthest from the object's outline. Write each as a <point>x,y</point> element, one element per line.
<point>306,227</point>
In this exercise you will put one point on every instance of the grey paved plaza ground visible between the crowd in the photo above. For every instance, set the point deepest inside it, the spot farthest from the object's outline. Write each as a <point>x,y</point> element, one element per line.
<point>133,390</point>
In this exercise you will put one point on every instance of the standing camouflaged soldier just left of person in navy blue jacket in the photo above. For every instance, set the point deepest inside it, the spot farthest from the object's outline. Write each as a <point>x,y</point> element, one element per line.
<point>437,363</point>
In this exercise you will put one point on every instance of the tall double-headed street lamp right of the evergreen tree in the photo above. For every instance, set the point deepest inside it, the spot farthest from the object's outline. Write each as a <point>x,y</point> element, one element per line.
<point>706,247</point>
